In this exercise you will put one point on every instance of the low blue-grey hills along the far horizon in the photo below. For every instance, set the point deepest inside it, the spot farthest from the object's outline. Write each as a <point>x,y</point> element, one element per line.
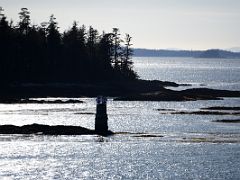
<point>211,53</point>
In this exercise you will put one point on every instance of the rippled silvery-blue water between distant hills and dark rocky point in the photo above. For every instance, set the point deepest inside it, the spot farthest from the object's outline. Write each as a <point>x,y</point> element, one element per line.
<point>214,73</point>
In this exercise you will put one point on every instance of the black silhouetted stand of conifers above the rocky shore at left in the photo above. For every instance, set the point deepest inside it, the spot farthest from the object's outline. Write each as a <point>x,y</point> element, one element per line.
<point>41,54</point>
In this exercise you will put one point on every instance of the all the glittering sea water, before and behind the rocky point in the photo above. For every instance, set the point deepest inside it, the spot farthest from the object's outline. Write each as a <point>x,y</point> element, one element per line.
<point>148,144</point>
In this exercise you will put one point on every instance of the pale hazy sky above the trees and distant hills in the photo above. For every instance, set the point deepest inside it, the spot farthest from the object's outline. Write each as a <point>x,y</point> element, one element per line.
<point>159,24</point>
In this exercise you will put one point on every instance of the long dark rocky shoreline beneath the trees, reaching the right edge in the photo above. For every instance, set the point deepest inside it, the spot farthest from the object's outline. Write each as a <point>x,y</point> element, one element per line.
<point>138,90</point>
